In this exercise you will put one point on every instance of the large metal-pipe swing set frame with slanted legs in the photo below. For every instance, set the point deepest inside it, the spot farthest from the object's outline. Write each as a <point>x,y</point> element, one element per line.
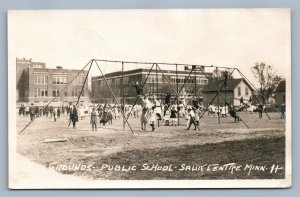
<point>176,91</point>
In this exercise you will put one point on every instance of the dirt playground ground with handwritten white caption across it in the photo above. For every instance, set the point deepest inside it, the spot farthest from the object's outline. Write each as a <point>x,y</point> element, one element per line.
<point>218,151</point>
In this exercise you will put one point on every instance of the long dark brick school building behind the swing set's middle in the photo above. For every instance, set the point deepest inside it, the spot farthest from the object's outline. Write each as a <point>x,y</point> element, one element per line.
<point>155,85</point>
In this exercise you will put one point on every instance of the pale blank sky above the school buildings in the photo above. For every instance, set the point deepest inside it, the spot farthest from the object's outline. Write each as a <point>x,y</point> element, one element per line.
<point>232,37</point>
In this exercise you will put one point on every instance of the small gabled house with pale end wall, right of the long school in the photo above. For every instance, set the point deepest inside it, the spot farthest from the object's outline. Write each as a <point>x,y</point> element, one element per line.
<point>235,90</point>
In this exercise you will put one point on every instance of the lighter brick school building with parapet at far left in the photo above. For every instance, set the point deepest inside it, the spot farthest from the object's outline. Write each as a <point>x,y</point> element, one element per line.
<point>38,84</point>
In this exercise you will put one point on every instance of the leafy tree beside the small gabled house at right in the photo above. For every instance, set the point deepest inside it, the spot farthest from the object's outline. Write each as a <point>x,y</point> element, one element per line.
<point>267,78</point>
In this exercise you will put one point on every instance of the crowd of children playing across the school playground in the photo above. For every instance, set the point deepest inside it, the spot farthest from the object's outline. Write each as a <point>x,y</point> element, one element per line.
<point>151,110</point>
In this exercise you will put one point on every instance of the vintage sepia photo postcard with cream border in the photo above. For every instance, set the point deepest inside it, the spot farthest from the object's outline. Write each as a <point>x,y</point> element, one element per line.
<point>169,98</point>
